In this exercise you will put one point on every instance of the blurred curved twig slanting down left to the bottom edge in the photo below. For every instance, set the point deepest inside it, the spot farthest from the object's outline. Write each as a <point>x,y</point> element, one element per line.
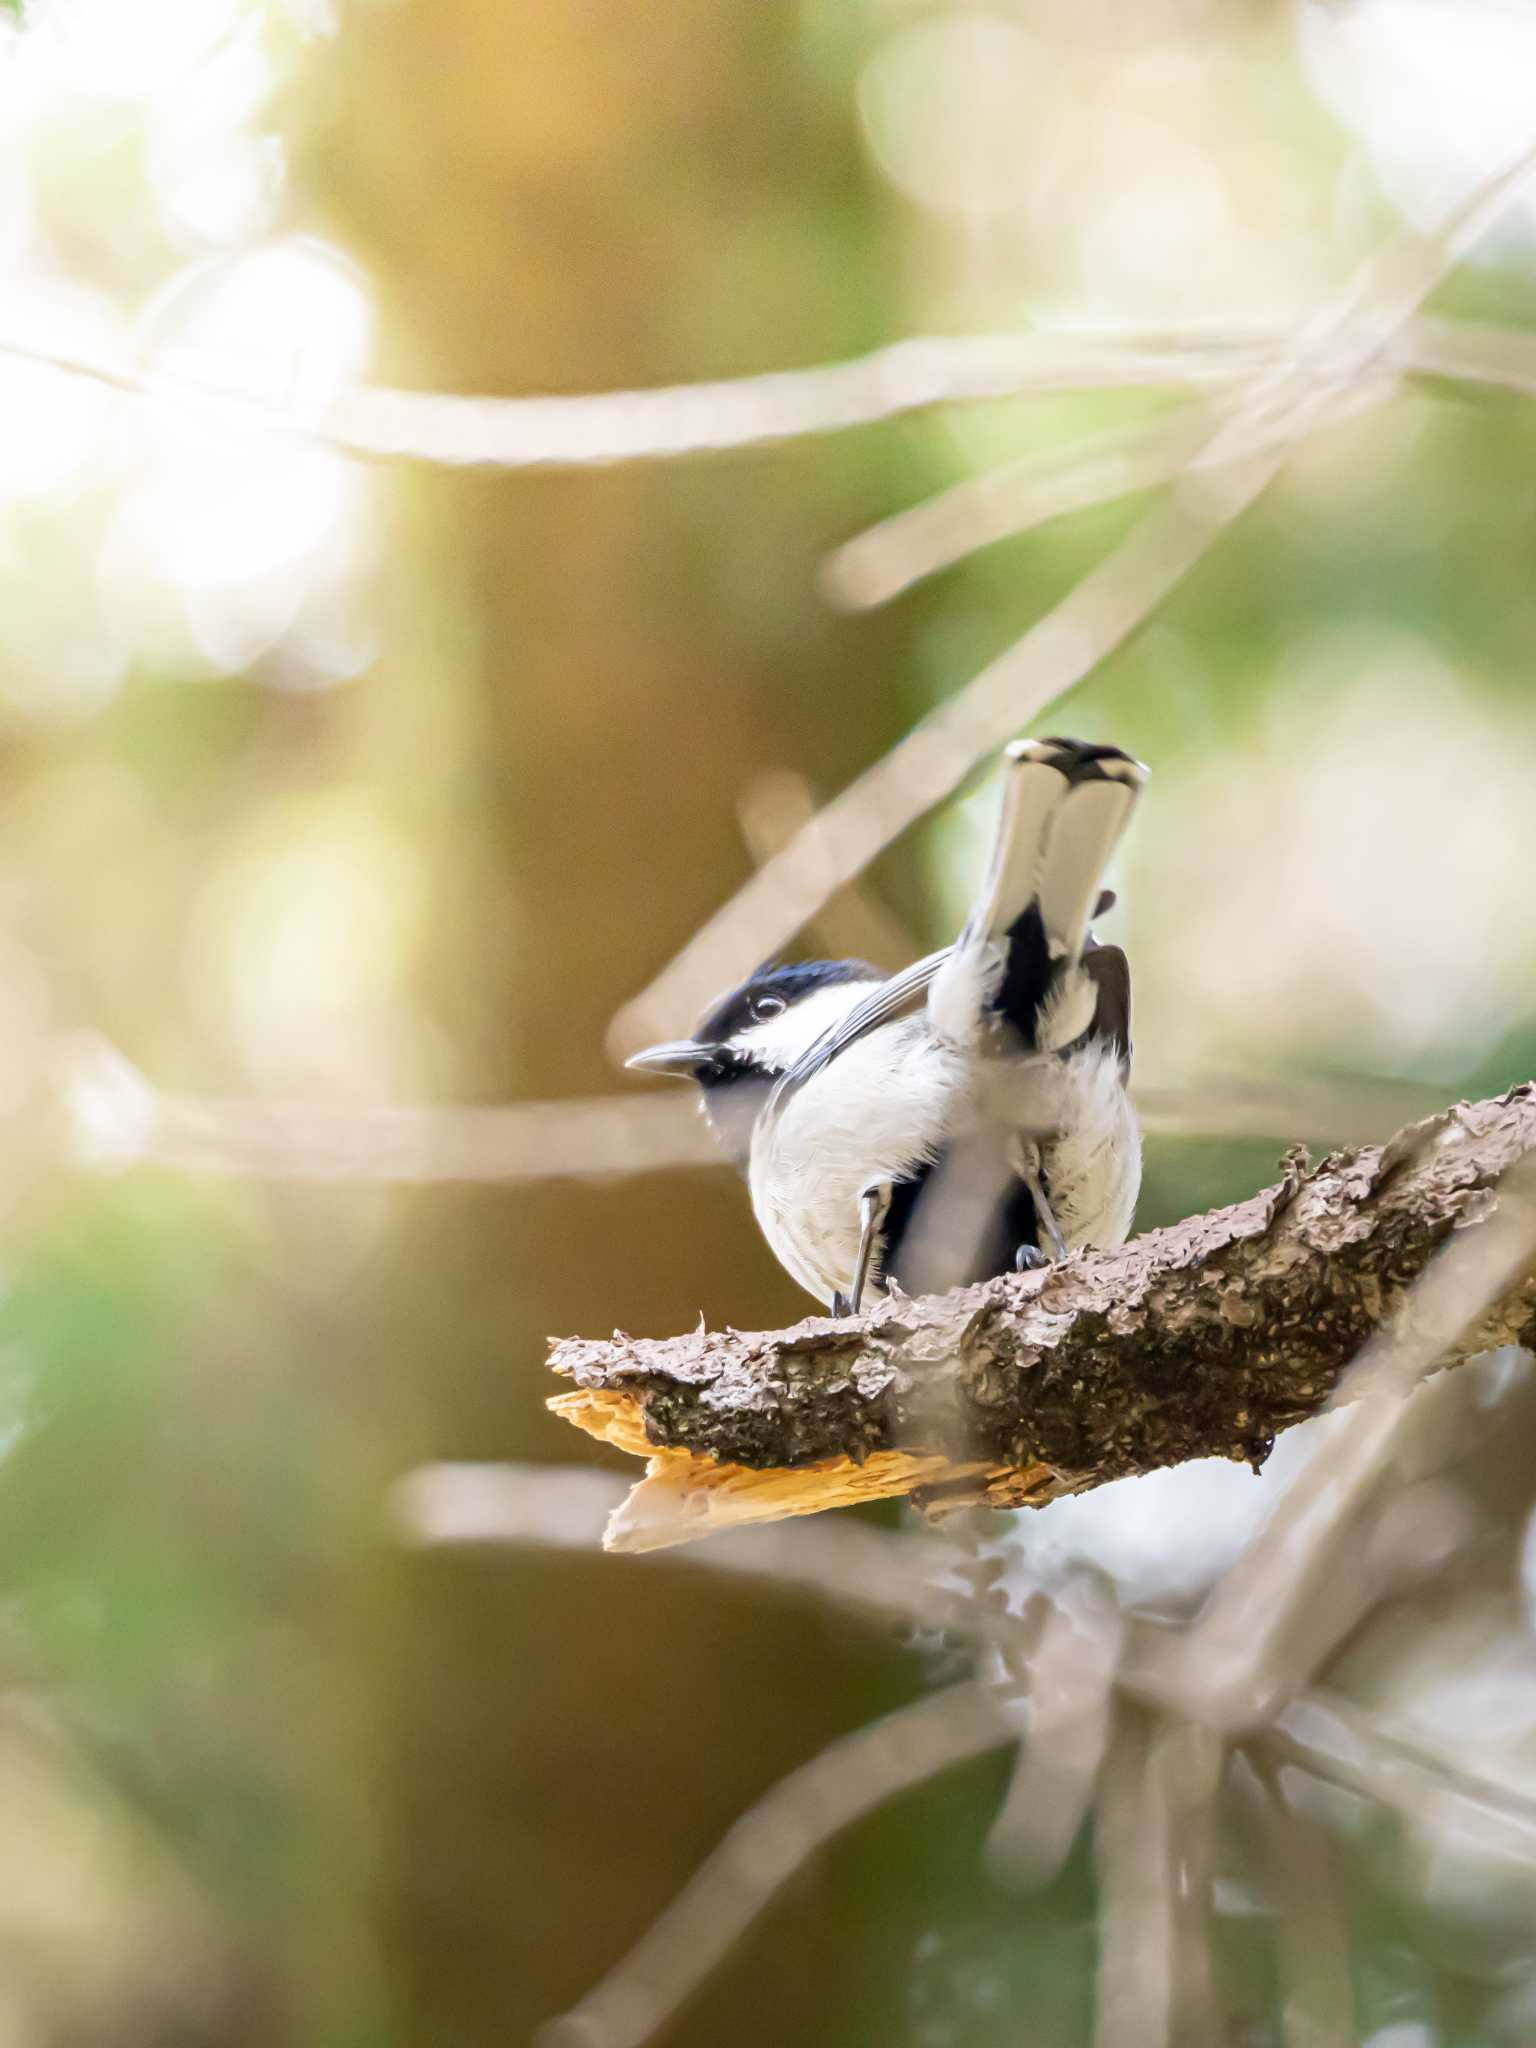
<point>765,1848</point>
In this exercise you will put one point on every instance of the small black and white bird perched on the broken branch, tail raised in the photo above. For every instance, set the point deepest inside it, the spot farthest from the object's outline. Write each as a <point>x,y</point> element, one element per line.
<point>968,1117</point>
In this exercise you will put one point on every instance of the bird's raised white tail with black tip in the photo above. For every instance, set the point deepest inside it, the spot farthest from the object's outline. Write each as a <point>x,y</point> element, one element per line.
<point>1066,806</point>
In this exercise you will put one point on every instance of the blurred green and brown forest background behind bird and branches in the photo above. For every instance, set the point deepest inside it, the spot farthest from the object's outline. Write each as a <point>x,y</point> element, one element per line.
<point>333,792</point>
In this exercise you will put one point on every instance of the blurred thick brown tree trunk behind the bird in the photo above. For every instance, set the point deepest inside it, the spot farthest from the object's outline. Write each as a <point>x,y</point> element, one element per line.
<point>579,679</point>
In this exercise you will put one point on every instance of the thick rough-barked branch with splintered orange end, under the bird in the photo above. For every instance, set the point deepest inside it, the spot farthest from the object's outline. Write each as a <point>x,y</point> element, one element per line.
<point>1193,1342</point>
